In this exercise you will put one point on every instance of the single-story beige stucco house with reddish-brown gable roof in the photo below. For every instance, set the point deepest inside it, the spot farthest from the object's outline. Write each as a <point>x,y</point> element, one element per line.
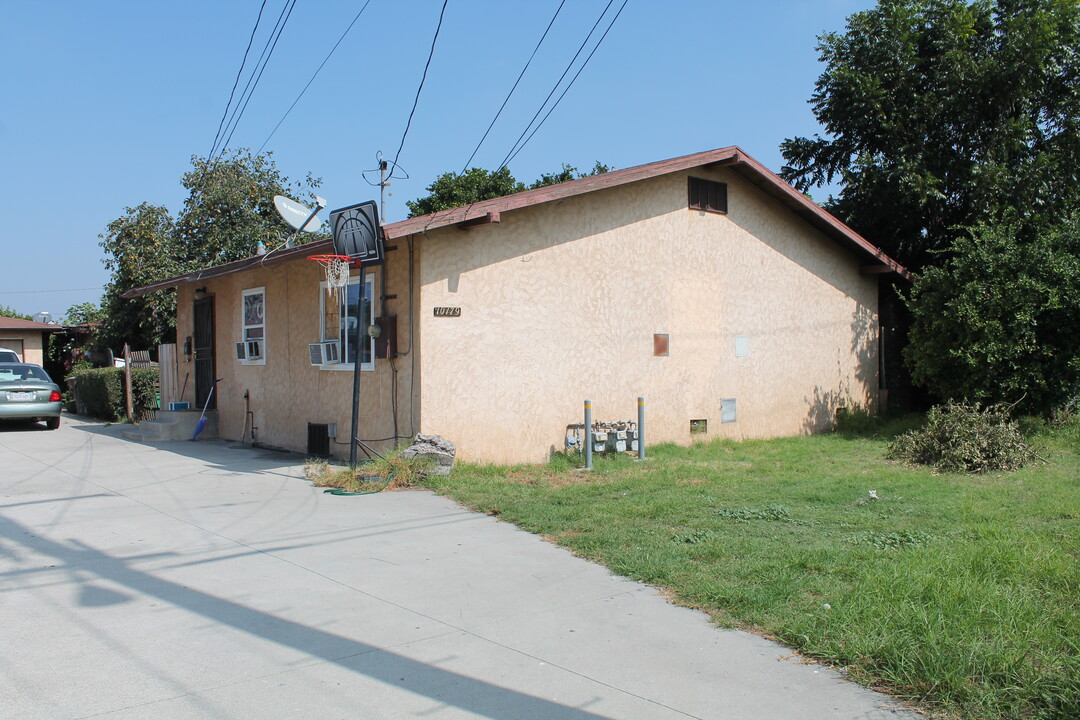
<point>732,303</point>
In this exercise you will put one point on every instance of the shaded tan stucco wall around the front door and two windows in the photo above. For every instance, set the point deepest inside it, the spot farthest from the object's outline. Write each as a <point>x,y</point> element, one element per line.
<point>288,392</point>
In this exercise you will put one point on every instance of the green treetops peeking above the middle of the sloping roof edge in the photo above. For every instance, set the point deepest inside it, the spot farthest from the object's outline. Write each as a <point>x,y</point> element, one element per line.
<point>452,191</point>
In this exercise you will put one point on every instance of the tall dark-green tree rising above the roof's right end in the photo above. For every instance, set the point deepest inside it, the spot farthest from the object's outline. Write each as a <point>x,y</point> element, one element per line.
<point>946,114</point>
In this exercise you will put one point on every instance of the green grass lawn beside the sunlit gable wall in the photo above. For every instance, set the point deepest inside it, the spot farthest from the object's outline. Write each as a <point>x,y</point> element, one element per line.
<point>956,592</point>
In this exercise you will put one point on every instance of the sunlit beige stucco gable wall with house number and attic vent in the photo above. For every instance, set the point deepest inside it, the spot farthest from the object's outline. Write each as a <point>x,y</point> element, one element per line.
<point>560,304</point>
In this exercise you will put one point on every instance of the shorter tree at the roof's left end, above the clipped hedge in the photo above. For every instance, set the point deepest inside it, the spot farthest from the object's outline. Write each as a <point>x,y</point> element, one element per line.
<point>141,249</point>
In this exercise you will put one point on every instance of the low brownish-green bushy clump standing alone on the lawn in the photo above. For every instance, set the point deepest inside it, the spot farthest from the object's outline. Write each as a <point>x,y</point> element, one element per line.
<point>958,438</point>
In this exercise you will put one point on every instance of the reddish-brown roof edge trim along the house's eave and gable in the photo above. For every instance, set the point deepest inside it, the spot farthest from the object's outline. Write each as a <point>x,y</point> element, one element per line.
<point>489,211</point>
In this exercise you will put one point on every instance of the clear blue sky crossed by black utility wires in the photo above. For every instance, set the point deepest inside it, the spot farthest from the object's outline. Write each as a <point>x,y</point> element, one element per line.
<point>105,103</point>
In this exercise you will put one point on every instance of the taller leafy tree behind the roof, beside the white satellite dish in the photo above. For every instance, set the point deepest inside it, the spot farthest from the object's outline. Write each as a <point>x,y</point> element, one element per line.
<point>231,208</point>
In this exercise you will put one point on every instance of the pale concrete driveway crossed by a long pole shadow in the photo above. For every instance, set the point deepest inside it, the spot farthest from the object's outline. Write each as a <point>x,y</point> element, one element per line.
<point>199,580</point>
